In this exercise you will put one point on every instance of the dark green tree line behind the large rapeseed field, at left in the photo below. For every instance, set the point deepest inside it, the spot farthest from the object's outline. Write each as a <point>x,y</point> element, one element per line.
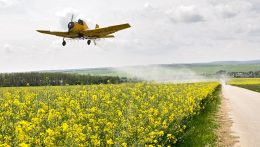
<point>53,79</point>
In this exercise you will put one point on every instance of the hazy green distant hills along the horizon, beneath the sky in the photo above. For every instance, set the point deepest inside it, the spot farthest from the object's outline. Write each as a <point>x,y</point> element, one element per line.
<point>198,68</point>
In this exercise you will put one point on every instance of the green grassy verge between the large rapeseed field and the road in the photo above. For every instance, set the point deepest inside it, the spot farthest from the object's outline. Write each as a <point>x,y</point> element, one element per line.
<point>201,128</point>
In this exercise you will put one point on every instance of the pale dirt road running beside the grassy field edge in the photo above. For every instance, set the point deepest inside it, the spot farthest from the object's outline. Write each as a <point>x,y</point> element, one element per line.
<point>245,114</point>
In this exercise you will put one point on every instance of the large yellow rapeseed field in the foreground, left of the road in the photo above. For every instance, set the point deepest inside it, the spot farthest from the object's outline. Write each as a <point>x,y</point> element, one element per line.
<point>98,115</point>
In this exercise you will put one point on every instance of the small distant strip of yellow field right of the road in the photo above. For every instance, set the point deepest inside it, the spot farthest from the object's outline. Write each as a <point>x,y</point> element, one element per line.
<point>241,81</point>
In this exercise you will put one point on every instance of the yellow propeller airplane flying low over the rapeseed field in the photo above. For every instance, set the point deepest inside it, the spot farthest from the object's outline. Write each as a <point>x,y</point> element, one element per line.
<point>80,30</point>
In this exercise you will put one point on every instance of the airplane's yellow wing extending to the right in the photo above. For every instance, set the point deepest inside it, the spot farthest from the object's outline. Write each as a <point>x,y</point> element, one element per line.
<point>103,32</point>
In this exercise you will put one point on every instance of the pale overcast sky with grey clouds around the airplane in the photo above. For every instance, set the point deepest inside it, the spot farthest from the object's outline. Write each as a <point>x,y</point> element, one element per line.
<point>167,31</point>
